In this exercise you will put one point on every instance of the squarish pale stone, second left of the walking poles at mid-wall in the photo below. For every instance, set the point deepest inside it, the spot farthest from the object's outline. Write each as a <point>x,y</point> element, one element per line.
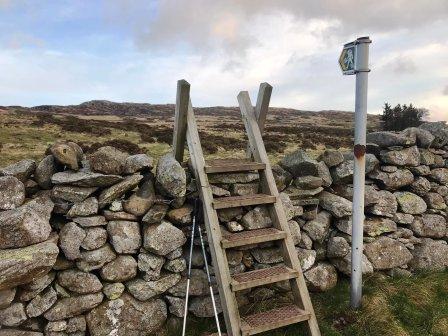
<point>124,236</point>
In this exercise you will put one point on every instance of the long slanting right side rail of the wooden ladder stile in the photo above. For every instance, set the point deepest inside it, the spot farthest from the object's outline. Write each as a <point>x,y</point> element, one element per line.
<point>268,186</point>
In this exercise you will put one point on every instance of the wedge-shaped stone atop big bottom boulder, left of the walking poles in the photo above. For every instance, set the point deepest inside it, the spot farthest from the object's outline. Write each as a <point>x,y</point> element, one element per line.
<point>144,290</point>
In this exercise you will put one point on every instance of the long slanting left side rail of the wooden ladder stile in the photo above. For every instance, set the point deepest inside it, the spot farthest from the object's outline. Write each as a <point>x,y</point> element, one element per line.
<point>219,258</point>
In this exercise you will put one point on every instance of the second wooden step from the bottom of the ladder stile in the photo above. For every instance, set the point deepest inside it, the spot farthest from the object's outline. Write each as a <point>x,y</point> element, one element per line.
<point>262,277</point>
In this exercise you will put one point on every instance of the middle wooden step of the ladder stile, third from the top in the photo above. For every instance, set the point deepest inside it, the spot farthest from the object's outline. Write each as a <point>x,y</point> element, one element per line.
<point>252,237</point>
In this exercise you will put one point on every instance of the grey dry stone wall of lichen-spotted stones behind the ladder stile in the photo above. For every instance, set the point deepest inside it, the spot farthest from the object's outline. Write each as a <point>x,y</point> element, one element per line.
<point>96,244</point>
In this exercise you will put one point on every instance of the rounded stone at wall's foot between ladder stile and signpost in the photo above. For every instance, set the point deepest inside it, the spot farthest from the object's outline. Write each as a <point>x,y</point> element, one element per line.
<point>321,277</point>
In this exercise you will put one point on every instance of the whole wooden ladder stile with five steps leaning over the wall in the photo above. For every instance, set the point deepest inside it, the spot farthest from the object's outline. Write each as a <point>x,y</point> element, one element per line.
<point>301,310</point>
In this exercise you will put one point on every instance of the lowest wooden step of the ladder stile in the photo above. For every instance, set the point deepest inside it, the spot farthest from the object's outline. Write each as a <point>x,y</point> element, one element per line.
<point>272,319</point>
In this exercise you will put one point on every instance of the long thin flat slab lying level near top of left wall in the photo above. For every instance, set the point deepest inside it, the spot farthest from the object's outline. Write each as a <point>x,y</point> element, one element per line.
<point>85,179</point>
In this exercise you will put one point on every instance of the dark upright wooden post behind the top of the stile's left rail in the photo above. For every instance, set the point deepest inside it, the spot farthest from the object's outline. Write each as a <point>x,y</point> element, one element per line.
<point>180,119</point>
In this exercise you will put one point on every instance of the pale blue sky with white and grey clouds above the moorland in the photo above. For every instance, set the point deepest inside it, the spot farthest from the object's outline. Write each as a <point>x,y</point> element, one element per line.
<point>66,52</point>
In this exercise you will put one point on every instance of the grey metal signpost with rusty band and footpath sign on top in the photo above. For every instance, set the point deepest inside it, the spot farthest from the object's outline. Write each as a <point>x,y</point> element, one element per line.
<point>360,67</point>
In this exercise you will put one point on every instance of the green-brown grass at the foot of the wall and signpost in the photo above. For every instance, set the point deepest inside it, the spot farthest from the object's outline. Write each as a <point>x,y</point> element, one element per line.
<point>416,306</point>
